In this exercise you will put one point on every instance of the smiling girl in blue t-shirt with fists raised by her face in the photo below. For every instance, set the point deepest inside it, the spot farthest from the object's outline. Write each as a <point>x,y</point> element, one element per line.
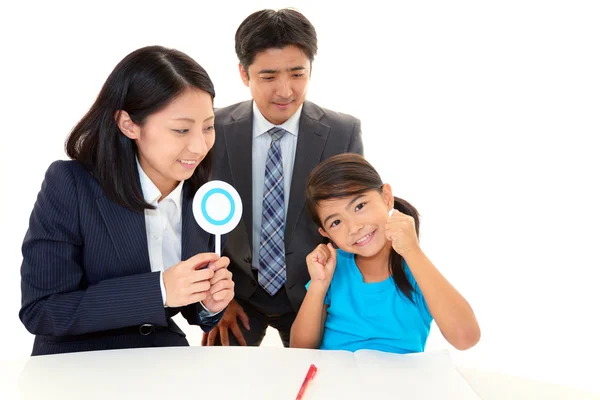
<point>372,287</point>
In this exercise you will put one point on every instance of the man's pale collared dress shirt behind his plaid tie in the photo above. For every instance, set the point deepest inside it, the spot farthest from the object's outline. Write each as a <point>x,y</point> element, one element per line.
<point>261,141</point>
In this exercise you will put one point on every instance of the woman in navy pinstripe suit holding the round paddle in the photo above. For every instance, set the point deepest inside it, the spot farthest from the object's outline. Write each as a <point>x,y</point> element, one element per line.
<point>112,251</point>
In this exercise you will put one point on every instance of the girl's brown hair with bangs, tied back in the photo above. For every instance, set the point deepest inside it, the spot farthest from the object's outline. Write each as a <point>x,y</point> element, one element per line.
<point>346,175</point>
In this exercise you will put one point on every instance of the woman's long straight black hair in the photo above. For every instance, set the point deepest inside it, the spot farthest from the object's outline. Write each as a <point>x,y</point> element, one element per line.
<point>143,83</point>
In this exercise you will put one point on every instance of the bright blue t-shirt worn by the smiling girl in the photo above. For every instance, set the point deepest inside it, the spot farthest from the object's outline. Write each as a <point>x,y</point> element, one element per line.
<point>375,316</point>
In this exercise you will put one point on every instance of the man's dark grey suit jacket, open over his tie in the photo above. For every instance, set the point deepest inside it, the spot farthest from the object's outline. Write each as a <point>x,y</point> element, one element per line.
<point>322,134</point>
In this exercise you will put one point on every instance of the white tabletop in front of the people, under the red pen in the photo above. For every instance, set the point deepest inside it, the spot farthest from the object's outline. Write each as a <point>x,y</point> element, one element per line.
<point>258,373</point>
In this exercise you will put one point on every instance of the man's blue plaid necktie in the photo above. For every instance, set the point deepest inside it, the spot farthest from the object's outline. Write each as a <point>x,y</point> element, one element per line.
<point>271,275</point>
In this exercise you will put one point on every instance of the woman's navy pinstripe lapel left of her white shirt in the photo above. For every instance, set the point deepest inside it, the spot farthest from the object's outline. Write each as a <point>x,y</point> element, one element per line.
<point>127,231</point>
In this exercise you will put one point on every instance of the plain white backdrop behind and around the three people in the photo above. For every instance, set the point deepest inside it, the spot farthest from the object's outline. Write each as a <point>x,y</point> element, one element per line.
<point>484,115</point>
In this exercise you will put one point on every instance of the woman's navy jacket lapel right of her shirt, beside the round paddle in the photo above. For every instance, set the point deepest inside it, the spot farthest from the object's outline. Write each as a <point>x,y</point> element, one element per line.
<point>194,240</point>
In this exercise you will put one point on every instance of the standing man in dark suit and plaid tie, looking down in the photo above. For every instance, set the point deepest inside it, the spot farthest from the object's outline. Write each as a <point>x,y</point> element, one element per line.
<point>266,148</point>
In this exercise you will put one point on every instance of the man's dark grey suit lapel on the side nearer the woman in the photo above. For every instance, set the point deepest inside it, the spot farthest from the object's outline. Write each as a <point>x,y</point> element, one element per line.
<point>238,139</point>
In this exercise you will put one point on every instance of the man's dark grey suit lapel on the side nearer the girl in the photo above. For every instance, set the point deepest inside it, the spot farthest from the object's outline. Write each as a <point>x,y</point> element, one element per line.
<point>312,137</point>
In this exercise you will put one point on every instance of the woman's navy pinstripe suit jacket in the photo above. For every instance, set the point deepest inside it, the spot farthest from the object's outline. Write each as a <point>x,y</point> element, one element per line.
<point>86,281</point>
